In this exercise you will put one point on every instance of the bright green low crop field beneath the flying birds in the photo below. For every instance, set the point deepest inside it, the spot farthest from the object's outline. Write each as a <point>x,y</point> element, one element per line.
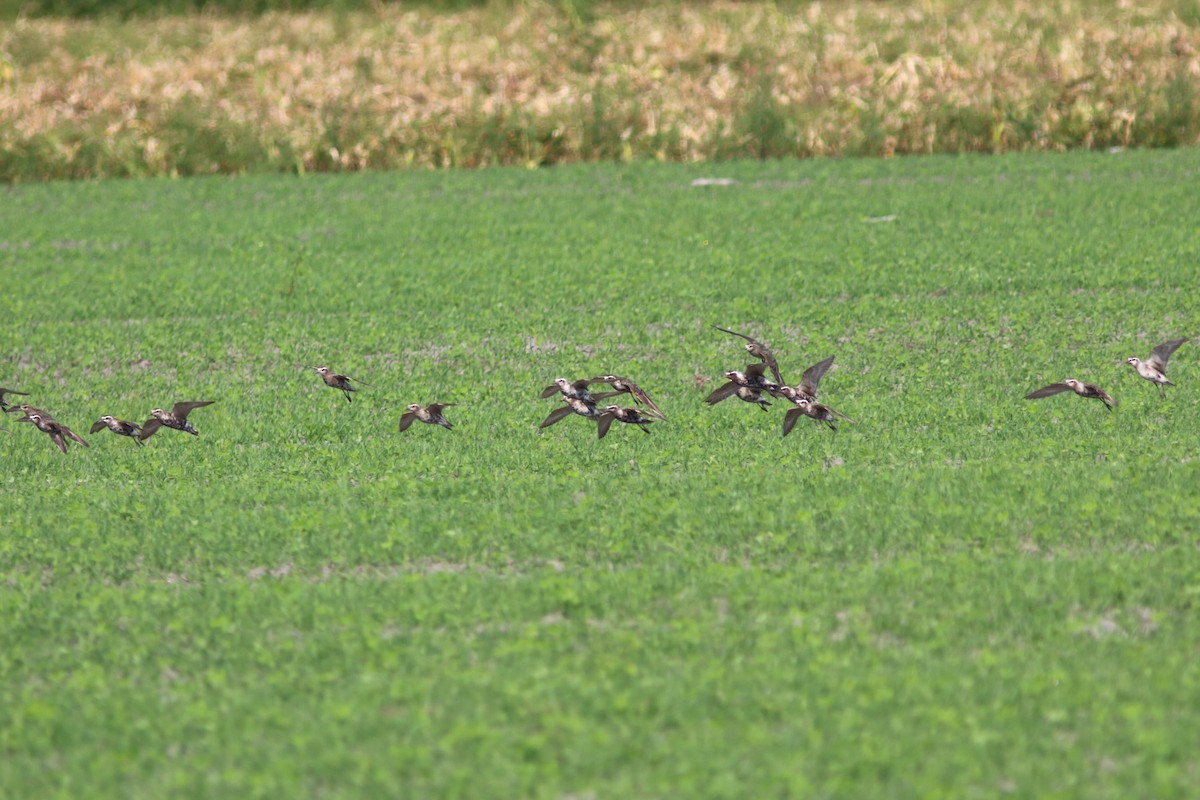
<point>958,594</point>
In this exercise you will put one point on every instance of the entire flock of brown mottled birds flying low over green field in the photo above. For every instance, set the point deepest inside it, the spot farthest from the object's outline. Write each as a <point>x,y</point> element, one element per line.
<point>749,386</point>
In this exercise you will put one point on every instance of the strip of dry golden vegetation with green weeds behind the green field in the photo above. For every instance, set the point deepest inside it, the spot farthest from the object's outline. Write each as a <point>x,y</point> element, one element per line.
<point>529,85</point>
